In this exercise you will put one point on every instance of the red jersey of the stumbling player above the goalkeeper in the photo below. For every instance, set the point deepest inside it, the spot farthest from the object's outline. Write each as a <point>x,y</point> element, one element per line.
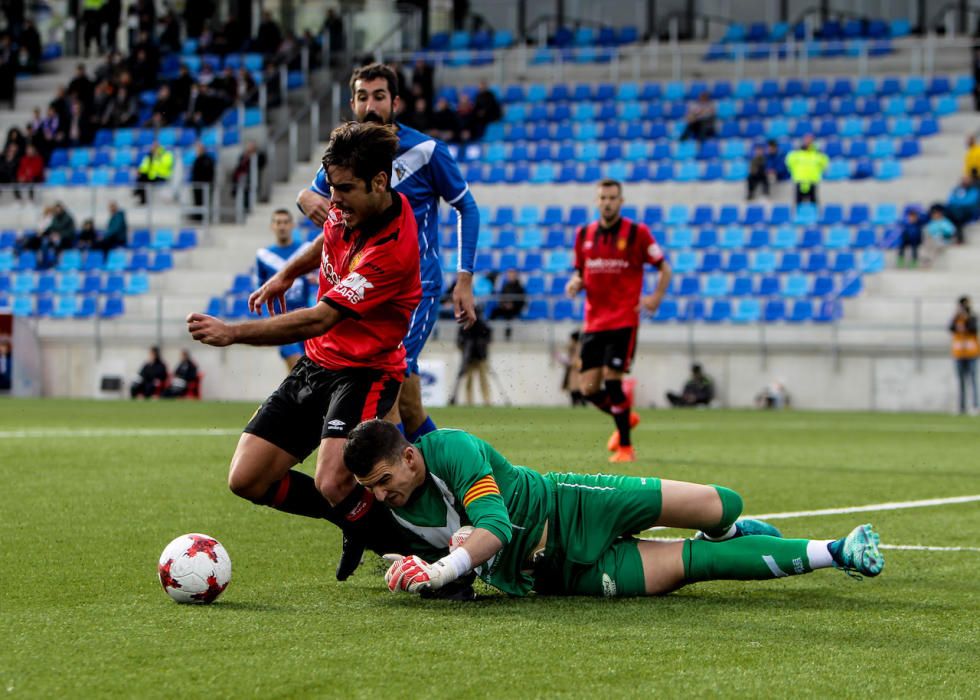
<point>375,284</point>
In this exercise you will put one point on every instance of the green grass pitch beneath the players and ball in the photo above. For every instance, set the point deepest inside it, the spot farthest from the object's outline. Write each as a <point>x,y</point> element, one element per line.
<point>88,504</point>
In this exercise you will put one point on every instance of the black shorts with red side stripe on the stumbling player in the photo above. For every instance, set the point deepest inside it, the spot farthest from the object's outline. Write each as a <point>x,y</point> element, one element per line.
<point>314,403</point>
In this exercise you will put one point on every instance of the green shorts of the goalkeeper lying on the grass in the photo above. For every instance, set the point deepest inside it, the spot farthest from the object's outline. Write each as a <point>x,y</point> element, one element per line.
<point>589,550</point>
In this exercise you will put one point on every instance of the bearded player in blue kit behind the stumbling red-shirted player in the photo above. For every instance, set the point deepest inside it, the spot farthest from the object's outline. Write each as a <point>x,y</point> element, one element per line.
<point>424,171</point>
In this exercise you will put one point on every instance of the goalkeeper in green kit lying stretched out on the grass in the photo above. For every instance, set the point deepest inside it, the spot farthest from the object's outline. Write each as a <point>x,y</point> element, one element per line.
<point>570,534</point>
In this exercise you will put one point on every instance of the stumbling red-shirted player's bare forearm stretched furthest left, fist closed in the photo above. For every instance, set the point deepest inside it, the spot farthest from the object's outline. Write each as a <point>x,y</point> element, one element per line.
<point>291,327</point>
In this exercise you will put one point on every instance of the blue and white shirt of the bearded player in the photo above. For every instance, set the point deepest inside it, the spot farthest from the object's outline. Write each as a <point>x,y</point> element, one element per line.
<point>424,171</point>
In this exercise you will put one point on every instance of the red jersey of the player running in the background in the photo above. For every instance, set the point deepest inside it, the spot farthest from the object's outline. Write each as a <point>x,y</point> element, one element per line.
<point>611,264</point>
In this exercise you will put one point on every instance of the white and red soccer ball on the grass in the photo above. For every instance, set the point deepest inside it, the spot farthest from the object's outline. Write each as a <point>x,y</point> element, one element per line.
<point>194,568</point>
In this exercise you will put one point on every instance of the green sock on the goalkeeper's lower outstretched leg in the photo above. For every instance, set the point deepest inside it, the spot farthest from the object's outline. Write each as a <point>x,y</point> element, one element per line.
<point>753,557</point>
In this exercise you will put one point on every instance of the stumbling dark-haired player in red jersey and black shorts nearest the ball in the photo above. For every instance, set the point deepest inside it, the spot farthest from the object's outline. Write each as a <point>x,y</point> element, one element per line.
<point>354,363</point>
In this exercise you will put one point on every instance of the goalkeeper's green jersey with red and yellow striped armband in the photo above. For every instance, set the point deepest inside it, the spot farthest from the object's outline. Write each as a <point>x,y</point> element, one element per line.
<point>468,482</point>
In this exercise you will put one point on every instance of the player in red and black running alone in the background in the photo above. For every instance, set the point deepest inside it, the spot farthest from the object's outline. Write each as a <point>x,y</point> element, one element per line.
<point>609,258</point>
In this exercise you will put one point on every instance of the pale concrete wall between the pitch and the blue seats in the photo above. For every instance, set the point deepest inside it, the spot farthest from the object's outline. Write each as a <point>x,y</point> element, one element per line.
<point>529,373</point>
